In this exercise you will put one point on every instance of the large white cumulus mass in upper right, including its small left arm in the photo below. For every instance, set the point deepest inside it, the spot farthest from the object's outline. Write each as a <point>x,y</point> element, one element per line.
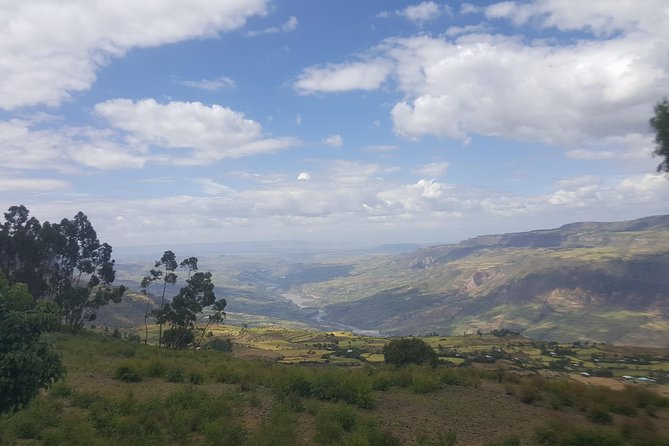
<point>564,92</point>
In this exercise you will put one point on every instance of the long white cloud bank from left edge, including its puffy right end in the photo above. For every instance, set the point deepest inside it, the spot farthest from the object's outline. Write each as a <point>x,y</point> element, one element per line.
<point>180,133</point>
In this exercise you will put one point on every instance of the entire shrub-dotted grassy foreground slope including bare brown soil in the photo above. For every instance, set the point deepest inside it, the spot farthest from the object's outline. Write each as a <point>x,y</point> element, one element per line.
<point>119,392</point>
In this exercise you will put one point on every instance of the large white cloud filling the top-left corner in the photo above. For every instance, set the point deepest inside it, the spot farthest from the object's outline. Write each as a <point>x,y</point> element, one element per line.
<point>52,49</point>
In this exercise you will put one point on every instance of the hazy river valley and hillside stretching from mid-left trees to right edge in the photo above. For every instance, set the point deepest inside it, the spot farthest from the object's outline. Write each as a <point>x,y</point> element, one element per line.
<point>604,282</point>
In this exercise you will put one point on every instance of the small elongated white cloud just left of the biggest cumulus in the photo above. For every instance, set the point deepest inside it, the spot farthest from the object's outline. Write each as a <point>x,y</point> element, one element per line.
<point>343,77</point>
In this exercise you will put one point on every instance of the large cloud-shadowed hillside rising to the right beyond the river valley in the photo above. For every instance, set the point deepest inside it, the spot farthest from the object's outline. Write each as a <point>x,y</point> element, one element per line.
<point>598,281</point>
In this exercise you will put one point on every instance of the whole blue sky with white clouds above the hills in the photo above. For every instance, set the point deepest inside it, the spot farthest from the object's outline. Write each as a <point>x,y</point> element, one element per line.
<point>170,122</point>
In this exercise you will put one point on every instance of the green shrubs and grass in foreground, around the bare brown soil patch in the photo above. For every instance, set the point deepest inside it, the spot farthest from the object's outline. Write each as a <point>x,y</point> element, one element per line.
<point>338,402</point>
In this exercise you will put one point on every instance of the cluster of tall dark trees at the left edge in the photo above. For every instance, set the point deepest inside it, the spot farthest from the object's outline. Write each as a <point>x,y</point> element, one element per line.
<point>61,262</point>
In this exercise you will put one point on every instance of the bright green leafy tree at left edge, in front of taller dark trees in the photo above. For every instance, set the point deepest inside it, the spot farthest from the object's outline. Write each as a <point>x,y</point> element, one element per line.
<point>26,363</point>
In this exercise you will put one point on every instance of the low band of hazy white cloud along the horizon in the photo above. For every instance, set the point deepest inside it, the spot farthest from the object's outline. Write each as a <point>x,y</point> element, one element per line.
<point>349,198</point>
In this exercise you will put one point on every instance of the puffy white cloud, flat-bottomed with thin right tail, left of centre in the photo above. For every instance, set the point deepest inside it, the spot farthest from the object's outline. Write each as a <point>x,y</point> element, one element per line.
<point>212,132</point>
